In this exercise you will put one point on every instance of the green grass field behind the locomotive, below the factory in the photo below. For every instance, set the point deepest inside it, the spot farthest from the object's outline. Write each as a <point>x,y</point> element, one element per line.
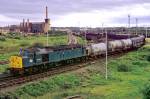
<point>11,46</point>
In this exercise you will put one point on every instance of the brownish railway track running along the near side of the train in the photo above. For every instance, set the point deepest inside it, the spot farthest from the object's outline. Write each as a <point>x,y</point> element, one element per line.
<point>14,81</point>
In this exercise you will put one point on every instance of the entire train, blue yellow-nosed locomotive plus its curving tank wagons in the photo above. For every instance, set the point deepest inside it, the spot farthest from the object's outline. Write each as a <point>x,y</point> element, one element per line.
<point>38,59</point>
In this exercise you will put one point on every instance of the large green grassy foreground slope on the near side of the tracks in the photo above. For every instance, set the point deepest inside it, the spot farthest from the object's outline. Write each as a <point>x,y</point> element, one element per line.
<point>91,84</point>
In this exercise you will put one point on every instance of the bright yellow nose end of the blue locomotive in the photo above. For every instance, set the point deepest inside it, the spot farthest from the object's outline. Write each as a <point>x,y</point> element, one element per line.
<point>15,62</point>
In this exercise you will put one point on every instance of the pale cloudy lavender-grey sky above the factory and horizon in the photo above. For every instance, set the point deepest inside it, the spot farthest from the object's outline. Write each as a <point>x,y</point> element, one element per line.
<point>82,13</point>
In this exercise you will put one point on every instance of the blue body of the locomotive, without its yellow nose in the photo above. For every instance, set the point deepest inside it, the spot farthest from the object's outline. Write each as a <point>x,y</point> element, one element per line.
<point>37,56</point>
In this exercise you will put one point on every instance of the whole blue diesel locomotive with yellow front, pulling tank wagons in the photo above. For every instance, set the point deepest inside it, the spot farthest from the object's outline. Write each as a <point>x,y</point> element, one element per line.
<point>33,59</point>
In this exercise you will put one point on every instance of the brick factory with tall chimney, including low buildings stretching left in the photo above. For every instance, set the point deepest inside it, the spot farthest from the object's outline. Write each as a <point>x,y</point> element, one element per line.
<point>31,27</point>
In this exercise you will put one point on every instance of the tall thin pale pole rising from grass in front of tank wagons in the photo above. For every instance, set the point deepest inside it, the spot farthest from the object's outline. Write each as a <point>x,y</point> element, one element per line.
<point>106,75</point>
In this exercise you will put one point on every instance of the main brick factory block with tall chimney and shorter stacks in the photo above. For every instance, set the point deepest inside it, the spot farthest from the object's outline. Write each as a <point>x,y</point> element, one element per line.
<point>35,27</point>
